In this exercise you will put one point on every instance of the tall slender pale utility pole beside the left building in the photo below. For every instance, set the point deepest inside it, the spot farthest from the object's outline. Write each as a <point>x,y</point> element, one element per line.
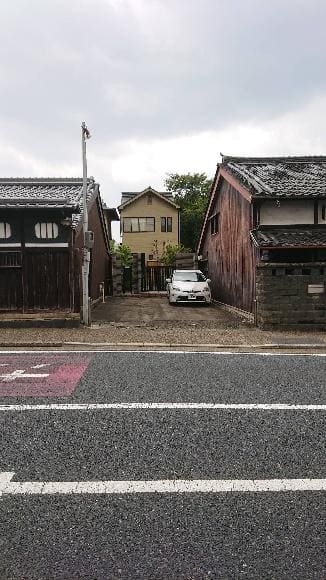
<point>86,252</point>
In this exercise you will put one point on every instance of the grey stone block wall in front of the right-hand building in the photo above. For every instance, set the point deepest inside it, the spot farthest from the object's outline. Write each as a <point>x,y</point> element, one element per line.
<point>291,295</point>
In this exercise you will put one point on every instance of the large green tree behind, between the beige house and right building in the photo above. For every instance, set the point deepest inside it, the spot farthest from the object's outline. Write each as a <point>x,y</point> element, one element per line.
<point>191,193</point>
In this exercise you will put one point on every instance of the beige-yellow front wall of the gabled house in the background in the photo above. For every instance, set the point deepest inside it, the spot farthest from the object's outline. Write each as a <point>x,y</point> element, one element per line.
<point>150,243</point>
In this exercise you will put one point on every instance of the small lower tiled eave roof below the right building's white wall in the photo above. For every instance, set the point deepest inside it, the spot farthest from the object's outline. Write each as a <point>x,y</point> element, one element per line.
<point>289,238</point>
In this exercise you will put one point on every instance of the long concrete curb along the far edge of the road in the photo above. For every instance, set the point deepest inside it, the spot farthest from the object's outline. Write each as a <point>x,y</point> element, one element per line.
<point>174,345</point>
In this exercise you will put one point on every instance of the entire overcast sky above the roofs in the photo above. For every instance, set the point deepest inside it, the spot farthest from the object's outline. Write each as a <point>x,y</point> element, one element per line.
<point>163,85</point>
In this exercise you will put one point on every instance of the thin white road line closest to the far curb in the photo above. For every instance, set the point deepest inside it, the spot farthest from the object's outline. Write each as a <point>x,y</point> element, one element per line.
<point>155,351</point>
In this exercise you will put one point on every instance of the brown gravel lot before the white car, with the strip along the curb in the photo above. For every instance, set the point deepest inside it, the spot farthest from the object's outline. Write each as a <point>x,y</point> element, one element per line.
<point>129,320</point>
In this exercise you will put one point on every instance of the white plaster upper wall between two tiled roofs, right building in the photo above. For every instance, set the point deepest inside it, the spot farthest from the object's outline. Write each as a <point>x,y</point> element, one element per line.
<point>287,213</point>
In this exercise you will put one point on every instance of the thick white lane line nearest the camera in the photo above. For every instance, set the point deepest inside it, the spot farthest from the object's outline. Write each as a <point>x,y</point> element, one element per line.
<point>161,486</point>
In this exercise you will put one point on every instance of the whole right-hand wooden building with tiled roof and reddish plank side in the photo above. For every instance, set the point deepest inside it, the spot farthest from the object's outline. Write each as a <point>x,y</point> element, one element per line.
<point>264,213</point>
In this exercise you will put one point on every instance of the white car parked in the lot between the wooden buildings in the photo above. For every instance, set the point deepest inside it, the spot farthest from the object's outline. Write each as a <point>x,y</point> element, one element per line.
<point>188,286</point>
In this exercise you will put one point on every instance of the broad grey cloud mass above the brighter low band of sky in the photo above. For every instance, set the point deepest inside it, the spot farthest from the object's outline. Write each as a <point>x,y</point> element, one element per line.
<point>138,68</point>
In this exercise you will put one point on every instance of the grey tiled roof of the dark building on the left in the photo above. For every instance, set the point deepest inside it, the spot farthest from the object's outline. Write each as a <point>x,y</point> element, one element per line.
<point>45,193</point>
